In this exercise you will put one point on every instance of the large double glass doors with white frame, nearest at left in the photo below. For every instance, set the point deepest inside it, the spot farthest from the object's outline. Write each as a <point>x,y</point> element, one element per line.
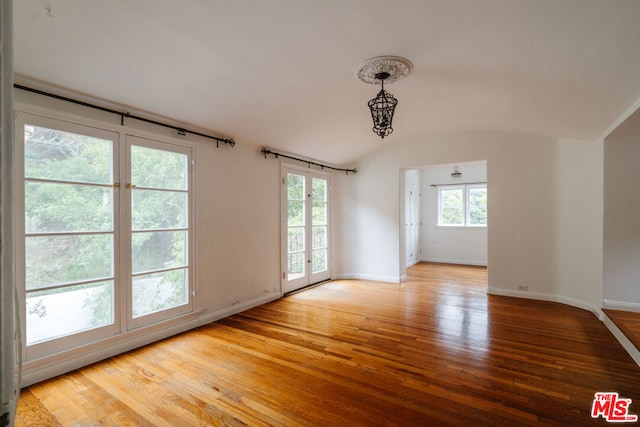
<point>102,232</point>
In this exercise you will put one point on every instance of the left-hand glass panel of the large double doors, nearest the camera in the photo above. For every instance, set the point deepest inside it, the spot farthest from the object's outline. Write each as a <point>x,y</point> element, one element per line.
<point>69,232</point>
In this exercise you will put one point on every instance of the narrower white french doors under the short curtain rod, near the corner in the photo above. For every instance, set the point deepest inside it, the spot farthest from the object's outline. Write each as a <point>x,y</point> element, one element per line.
<point>305,206</point>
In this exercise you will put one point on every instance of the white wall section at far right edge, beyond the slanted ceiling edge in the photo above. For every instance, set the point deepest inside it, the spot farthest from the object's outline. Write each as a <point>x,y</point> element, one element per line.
<point>622,217</point>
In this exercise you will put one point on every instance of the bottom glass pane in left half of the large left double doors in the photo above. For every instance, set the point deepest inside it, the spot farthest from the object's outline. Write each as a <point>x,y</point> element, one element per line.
<point>58,312</point>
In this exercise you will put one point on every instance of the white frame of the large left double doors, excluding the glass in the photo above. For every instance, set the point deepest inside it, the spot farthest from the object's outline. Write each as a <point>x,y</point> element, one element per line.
<point>37,358</point>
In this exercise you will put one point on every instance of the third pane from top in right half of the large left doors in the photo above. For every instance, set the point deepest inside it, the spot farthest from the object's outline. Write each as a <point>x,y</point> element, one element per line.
<point>158,250</point>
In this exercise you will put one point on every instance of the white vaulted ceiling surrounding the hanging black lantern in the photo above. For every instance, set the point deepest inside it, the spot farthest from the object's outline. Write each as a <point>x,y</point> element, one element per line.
<point>282,73</point>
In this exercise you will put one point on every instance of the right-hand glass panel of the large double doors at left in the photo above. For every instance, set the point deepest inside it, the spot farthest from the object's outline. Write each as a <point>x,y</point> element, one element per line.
<point>159,200</point>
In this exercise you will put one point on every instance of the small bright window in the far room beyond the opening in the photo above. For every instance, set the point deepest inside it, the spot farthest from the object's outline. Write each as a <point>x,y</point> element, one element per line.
<point>462,205</point>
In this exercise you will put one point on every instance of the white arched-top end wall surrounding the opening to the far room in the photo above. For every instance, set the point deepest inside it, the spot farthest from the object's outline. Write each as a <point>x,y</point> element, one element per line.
<point>533,203</point>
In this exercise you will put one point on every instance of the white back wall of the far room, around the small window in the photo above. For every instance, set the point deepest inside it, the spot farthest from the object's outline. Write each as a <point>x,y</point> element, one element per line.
<point>456,245</point>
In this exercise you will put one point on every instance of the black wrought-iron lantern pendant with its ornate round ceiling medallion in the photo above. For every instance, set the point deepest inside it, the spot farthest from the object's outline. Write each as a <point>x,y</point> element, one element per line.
<point>379,70</point>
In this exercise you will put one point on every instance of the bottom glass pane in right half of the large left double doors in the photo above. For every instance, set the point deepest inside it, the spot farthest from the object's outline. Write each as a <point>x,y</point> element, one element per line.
<point>159,291</point>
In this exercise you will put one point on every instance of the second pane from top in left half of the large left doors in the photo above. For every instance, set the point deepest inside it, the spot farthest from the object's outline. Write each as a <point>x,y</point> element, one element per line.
<point>51,207</point>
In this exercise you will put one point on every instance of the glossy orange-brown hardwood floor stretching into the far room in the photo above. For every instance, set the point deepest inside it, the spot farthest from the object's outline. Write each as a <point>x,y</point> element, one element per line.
<point>435,350</point>
